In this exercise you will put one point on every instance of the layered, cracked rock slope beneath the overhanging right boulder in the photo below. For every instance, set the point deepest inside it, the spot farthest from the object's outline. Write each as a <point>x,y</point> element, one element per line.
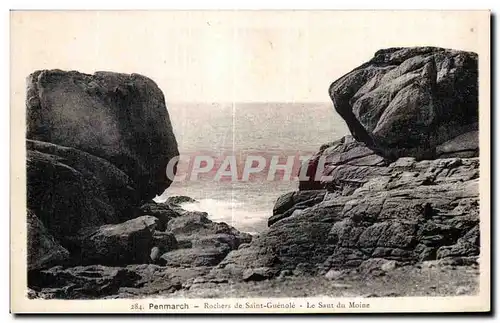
<point>408,211</point>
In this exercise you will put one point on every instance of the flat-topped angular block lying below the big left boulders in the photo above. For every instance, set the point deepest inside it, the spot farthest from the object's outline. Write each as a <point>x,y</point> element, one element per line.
<point>118,244</point>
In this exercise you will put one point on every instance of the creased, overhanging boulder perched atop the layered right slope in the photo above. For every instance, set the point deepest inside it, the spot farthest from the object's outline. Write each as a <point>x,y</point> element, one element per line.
<point>408,101</point>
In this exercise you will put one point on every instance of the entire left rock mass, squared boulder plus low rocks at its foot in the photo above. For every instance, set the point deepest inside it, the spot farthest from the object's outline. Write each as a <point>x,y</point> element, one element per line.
<point>97,150</point>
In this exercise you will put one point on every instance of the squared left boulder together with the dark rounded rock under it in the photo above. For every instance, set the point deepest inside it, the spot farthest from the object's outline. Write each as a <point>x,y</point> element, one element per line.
<point>97,147</point>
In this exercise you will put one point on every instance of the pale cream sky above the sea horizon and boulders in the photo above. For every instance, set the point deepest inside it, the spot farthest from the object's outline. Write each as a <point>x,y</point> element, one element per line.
<point>229,56</point>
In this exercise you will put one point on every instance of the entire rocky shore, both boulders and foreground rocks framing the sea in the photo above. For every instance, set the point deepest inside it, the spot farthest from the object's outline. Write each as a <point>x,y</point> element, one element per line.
<point>395,211</point>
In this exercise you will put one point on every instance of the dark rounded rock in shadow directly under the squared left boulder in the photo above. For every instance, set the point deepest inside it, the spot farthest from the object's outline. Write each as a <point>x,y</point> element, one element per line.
<point>69,189</point>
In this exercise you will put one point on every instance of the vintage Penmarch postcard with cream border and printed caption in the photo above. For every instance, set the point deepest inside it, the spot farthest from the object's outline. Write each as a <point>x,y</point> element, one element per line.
<point>250,161</point>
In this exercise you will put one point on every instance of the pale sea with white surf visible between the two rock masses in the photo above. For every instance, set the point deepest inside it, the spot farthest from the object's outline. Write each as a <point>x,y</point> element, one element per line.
<point>241,129</point>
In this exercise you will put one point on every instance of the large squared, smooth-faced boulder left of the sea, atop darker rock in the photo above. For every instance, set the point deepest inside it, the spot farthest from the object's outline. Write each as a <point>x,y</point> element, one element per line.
<point>120,118</point>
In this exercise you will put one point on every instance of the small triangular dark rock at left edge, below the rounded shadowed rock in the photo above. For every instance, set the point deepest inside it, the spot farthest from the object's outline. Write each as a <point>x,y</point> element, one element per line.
<point>43,250</point>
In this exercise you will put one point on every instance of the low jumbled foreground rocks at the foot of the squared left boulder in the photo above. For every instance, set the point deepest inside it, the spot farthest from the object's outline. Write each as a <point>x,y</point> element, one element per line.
<point>161,251</point>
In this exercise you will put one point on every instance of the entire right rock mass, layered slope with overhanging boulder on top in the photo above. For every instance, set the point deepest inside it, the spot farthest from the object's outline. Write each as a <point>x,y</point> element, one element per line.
<point>402,190</point>
